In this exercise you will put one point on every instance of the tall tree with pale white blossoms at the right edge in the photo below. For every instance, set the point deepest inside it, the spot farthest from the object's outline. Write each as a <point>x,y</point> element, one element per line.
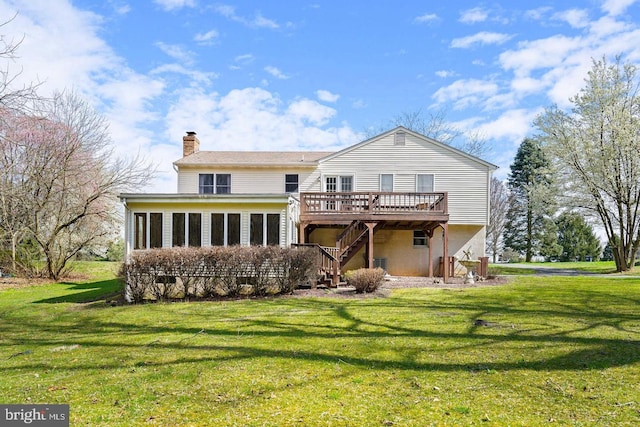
<point>595,148</point>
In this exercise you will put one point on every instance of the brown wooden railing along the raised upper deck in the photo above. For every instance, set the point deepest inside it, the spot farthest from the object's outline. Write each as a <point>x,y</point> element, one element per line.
<point>372,203</point>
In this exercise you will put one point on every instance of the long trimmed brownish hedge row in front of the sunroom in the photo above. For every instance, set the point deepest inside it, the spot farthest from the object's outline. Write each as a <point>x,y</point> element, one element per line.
<point>214,272</point>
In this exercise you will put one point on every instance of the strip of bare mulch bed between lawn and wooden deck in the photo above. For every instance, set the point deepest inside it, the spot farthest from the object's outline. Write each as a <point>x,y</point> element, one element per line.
<point>396,282</point>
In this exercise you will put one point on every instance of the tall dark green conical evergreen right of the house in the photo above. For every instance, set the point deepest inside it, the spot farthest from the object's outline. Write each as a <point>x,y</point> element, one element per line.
<point>531,200</point>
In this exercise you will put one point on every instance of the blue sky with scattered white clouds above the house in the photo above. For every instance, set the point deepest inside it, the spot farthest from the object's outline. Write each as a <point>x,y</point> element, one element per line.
<point>313,75</point>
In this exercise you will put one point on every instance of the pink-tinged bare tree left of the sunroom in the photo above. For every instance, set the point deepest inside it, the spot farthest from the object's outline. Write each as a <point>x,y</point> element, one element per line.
<point>67,178</point>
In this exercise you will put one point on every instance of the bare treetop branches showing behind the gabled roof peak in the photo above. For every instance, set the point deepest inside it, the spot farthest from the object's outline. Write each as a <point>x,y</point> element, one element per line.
<point>435,126</point>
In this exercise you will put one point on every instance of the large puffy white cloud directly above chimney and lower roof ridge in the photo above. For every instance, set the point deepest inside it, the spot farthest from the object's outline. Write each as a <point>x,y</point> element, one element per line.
<point>255,119</point>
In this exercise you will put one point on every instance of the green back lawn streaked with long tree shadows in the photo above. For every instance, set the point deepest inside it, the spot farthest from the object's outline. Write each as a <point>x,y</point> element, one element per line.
<point>557,349</point>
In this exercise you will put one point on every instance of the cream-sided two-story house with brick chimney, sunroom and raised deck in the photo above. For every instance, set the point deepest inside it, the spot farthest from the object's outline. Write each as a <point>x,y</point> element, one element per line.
<point>399,200</point>
